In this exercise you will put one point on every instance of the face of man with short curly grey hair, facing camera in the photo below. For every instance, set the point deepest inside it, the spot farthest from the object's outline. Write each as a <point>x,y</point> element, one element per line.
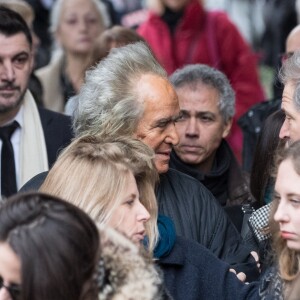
<point>201,127</point>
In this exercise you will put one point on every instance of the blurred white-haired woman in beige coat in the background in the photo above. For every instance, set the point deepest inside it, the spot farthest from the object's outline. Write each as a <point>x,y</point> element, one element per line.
<point>75,25</point>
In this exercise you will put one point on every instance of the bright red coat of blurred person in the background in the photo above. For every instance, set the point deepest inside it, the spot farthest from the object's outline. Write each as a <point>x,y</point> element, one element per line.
<point>212,39</point>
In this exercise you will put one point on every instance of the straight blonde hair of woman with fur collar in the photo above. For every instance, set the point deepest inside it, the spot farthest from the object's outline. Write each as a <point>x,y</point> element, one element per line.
<point>92,173</point>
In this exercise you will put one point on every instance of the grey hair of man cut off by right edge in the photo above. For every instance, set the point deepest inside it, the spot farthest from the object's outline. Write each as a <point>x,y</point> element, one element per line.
<point>290,72</point>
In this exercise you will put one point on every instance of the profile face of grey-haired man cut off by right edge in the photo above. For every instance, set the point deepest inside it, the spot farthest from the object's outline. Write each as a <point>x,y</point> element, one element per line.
<point>290,130</point>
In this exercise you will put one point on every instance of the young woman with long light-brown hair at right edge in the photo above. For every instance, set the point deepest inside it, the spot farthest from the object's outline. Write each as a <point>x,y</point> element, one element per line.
<point>283,281</point>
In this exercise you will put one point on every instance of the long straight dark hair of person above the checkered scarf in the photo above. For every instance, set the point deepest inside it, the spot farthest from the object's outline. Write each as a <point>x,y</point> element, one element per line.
<point>264,155</point>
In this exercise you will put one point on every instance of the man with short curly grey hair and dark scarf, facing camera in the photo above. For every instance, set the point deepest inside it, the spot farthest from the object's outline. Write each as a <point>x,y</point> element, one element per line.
<point>207,105</point>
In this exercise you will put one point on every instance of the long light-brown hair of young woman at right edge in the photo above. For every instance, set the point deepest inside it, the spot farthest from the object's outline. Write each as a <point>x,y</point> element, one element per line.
<point>288,259</point>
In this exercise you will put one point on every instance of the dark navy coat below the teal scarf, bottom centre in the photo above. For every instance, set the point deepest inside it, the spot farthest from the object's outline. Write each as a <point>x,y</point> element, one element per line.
<point>191,272</point>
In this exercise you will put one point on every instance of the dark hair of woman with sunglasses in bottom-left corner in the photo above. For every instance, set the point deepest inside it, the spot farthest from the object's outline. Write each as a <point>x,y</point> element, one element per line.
<point>57,243</point>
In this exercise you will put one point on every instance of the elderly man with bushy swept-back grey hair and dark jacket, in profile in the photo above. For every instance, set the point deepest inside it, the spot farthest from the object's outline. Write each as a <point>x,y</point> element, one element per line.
<point>128,93</point>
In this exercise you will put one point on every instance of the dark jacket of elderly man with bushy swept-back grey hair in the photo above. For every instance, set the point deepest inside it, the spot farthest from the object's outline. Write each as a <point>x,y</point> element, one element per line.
<point>198,216</point>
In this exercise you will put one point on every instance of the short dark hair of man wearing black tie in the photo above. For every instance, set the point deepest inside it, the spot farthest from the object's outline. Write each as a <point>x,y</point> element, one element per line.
<point>12,23</point>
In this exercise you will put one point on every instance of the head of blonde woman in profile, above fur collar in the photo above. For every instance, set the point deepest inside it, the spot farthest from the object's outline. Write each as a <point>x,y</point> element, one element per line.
<point>100,178</point>
